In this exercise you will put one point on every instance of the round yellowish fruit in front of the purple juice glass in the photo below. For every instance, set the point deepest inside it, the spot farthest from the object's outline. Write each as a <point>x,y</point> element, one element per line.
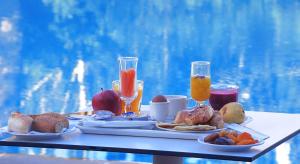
<point>233,113</point>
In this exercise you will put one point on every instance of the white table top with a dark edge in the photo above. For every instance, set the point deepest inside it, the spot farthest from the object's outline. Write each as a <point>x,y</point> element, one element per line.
<point>279,126</point>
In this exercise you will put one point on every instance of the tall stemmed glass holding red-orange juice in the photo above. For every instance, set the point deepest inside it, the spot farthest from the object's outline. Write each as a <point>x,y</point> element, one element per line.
<point>127,77</point>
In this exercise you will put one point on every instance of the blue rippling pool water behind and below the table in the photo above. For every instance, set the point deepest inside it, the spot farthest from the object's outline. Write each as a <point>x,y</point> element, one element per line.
<point>54,55</point>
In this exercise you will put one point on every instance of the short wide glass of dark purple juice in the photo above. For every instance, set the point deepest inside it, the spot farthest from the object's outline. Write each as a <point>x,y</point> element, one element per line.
<point>221,94</point>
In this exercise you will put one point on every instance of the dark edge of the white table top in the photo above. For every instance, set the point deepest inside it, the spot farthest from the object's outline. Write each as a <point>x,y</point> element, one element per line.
<point>4,142</point>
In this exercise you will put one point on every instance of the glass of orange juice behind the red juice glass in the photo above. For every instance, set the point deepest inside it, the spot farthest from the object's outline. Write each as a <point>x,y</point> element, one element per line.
<point>136,103</point>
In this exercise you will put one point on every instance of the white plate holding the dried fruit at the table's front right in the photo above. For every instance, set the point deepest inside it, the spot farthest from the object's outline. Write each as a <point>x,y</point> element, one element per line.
<point>228,147</point>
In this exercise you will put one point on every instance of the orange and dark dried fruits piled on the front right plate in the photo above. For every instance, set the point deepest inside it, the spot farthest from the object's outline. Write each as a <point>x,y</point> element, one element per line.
<point>230,138</point>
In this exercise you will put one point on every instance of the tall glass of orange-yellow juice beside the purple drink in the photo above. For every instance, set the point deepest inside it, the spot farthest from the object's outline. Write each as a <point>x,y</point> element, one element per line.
<point>200,81</point>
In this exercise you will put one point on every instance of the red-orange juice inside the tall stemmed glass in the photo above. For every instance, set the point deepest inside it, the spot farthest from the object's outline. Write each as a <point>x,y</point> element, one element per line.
<point>127,82</point>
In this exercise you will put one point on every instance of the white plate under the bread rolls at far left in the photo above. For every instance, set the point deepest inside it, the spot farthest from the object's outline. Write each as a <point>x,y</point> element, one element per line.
<point>33,135</point>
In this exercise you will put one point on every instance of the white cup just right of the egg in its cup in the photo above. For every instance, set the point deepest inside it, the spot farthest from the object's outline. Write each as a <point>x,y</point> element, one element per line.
<point>177,103</point>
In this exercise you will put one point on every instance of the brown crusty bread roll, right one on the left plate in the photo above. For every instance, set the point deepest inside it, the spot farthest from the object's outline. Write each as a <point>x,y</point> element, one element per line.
<point>50,123</point>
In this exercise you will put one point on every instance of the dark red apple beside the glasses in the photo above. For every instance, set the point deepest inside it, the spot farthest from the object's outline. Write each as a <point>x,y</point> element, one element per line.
<point>107,100</point>
